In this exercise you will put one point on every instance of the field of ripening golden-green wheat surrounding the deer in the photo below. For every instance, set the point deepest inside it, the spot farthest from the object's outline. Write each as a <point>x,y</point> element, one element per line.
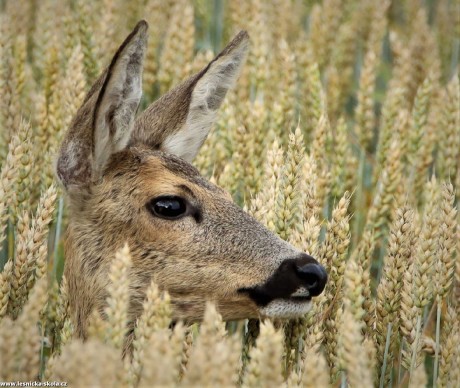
<point>342,136</point>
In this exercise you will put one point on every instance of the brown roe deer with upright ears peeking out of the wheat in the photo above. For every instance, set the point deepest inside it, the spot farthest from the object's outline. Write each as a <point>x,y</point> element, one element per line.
<point>130,180</point>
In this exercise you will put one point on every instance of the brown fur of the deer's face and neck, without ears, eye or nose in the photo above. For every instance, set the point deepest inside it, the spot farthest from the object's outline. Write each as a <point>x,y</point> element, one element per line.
<point>184,257</point>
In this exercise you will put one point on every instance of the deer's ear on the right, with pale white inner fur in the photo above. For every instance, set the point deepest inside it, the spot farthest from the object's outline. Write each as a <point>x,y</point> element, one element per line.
<point>180,121</point>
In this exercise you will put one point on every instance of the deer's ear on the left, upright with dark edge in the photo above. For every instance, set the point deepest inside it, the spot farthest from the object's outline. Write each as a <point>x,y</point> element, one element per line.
<point>103,123</point>
